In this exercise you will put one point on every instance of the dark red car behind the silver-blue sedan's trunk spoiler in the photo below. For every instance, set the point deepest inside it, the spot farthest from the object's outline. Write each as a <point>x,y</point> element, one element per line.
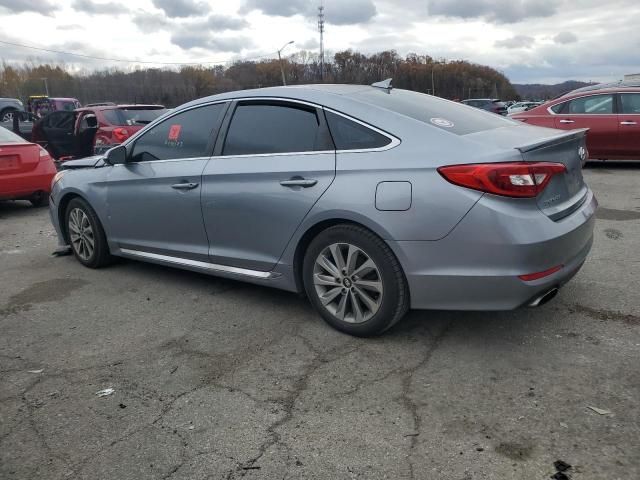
<point>611,112</point>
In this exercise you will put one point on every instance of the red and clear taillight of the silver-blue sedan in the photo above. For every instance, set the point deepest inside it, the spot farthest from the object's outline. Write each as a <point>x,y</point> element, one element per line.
<point>513,179</point>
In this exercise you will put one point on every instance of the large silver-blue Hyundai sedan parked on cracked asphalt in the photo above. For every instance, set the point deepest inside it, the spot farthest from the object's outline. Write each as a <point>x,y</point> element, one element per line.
<point>369,199</point>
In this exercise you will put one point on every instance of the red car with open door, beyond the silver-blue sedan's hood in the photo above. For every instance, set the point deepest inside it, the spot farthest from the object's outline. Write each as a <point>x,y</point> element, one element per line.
<point>91,130</point>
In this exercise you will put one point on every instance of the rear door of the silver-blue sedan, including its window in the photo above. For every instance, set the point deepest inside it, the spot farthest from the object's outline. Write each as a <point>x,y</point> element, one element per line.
<point>276,160</point>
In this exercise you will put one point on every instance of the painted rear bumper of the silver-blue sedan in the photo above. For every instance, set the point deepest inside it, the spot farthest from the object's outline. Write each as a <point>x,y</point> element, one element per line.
<point>476,267</point>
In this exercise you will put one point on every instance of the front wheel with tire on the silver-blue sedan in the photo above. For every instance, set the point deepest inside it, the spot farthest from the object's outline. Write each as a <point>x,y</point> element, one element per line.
<point>82,225</point>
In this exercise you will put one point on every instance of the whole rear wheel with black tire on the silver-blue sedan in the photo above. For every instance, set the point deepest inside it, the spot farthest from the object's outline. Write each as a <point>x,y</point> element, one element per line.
<point>366,297</point>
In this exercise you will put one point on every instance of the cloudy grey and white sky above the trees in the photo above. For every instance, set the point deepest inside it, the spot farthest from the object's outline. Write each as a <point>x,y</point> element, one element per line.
<point>542,41</point>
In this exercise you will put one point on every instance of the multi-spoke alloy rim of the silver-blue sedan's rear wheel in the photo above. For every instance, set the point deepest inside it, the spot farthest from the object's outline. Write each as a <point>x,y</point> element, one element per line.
<point>348,283</point>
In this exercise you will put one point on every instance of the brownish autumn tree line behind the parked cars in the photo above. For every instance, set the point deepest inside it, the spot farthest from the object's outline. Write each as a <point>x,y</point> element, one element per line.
<point>171,87</point>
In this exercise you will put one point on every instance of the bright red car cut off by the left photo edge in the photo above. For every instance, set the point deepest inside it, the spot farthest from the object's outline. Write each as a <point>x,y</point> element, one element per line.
<point>26,170</point>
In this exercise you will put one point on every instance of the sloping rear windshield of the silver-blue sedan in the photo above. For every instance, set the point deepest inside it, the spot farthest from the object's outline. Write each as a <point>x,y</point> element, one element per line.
<point>451,116</point>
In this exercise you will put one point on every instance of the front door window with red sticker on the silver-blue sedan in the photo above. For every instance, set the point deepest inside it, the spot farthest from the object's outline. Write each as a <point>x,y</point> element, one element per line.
<point>185,135</point>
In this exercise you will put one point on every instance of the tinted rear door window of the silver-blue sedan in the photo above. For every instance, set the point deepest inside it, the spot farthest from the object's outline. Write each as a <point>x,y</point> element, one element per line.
<point>271,128</point>
